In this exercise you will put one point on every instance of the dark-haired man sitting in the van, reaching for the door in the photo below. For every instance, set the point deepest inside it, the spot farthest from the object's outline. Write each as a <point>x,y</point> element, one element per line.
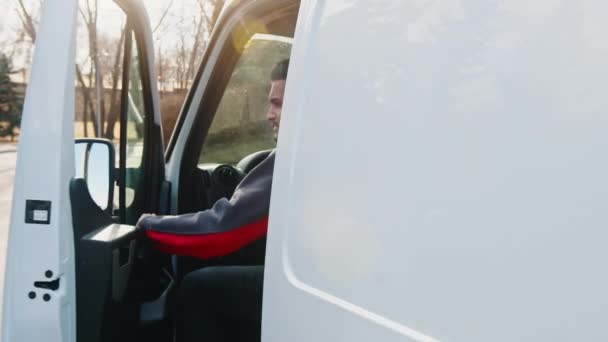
<point>223,303</point>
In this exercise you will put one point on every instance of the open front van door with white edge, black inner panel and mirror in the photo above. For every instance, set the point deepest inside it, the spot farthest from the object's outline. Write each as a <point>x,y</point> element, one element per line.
<point>72,249</point>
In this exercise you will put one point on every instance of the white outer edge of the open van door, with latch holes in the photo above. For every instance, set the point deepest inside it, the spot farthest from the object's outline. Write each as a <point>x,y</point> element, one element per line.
<point>45,165</point>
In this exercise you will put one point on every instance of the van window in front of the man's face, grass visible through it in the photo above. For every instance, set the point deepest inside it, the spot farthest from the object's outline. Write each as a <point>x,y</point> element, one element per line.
<point>239,127</point>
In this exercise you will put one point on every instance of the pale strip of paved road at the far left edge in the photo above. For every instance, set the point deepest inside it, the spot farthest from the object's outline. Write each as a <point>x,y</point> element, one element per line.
<point>7,172</point>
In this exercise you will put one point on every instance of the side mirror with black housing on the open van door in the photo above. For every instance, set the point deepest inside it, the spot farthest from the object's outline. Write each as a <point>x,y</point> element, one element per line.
<point>95,163</point>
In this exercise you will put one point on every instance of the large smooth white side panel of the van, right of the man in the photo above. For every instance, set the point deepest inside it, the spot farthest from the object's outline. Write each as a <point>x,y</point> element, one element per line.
<point>442,174</point>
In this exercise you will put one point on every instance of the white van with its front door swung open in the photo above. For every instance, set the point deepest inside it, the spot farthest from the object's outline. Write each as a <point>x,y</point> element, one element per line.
<point>441,174</point>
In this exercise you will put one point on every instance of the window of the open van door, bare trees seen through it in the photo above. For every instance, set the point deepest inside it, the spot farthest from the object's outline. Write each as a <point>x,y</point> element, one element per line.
<point>104,96</point>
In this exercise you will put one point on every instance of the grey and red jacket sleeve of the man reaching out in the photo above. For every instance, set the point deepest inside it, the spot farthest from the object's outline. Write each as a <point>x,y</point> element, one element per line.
<point>223,229</point>
